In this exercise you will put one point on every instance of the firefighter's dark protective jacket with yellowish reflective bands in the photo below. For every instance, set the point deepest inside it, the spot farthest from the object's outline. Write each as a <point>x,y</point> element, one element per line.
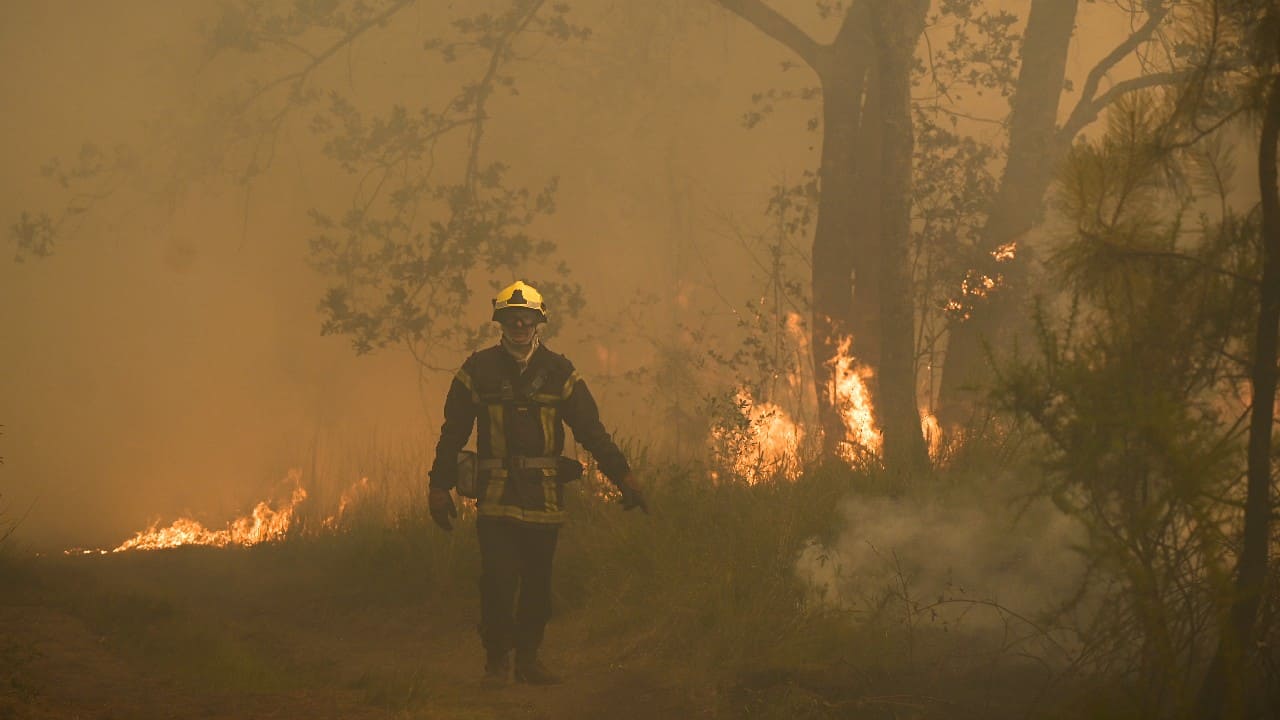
<point>520,416</point>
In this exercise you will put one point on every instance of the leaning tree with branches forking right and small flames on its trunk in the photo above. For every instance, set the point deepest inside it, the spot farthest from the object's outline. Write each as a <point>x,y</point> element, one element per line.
<point>1036,147</point>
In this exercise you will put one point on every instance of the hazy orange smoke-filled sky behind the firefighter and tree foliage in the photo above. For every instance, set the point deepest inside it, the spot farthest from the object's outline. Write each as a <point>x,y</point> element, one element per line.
<point>168,361</point>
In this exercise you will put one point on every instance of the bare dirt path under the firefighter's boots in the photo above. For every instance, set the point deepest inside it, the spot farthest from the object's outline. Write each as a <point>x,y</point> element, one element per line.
<point>406,666</point>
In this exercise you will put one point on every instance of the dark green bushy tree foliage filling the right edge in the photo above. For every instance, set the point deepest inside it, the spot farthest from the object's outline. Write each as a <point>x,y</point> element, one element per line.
<point>1155,389</point>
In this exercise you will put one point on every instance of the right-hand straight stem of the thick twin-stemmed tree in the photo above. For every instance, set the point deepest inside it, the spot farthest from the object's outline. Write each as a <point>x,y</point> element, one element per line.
<point>898,26</point>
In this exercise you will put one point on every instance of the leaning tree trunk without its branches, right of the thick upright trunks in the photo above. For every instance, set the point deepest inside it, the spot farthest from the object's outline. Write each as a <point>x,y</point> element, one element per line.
<point>1035,152</point>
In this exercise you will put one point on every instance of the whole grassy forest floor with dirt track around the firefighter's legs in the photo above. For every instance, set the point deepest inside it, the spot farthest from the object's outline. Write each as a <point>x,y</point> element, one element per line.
<point>693,612</point>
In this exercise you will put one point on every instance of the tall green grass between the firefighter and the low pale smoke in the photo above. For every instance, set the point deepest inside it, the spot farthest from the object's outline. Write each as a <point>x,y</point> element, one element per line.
<point>721,558</point>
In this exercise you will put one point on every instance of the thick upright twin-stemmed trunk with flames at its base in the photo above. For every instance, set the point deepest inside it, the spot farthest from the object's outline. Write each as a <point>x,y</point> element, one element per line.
<point>861,274</point>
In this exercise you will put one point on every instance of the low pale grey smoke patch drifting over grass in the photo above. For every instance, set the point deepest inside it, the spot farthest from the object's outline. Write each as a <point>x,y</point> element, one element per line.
<point>895,552</point>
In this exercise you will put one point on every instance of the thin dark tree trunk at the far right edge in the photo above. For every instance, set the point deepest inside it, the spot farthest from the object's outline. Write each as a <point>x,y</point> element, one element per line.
<point>1223,694</point>
